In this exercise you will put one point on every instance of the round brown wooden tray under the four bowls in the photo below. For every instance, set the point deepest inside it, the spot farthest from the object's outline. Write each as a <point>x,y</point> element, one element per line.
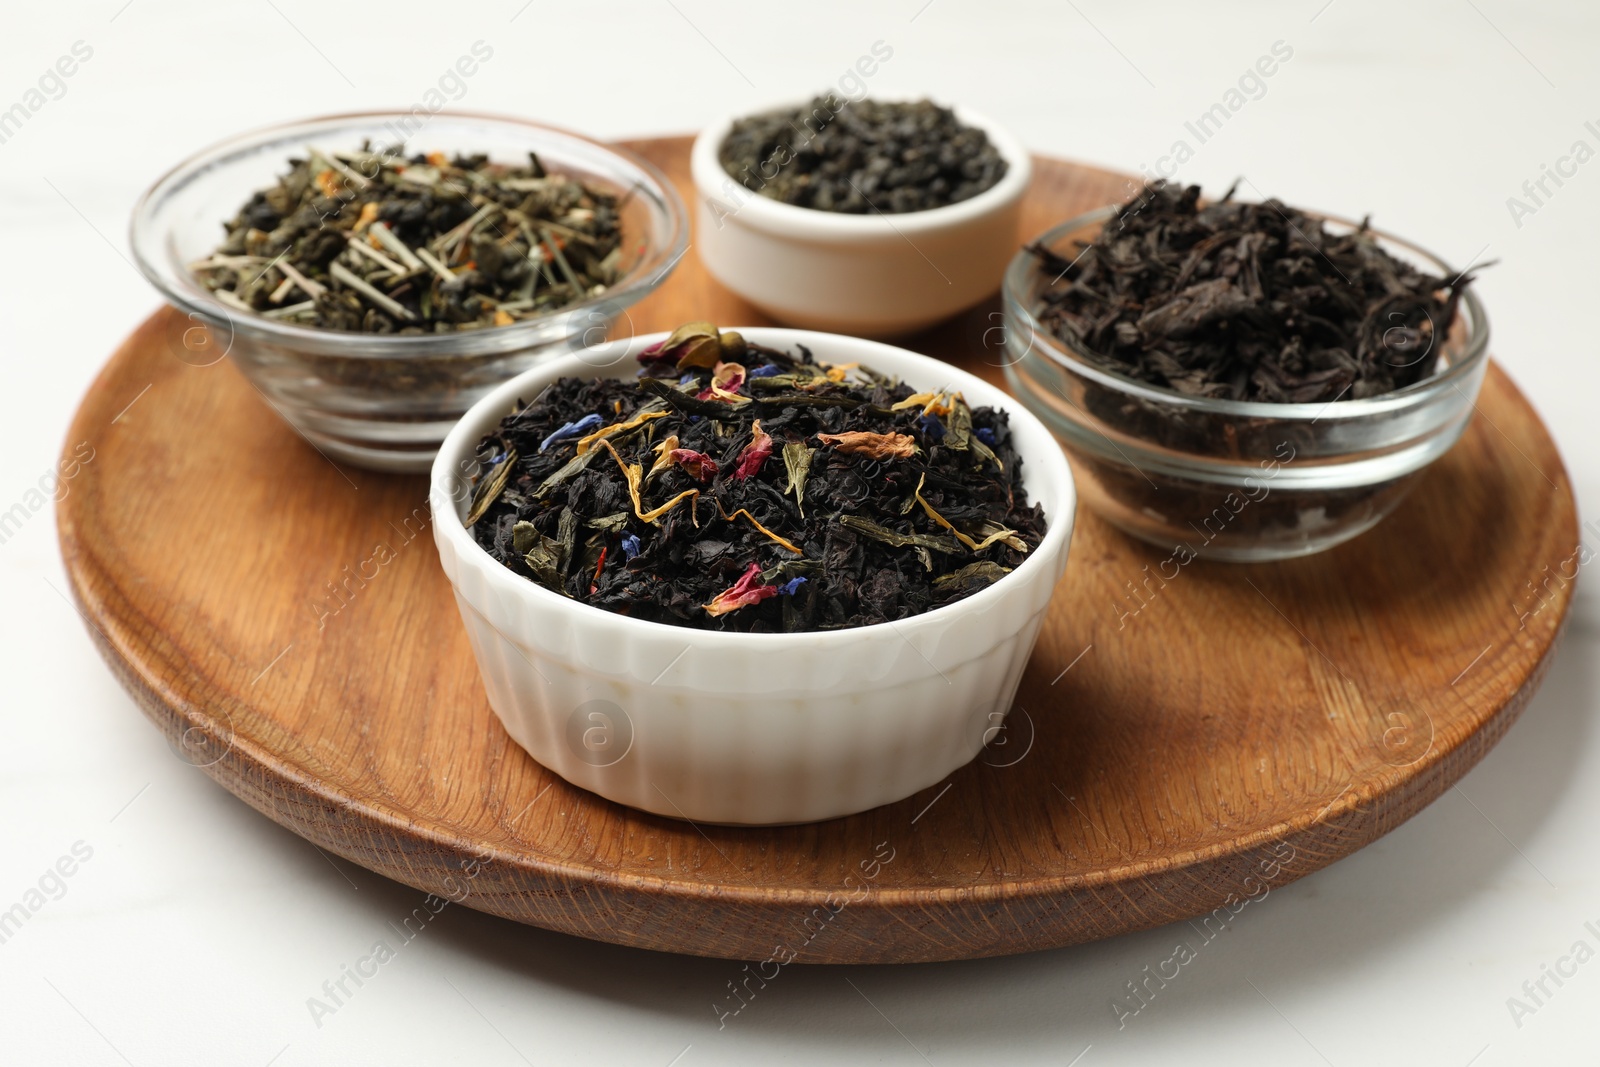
<point>1175,748</point>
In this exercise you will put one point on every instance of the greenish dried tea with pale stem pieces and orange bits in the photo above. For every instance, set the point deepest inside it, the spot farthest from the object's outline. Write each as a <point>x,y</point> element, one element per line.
<point>374,242</point>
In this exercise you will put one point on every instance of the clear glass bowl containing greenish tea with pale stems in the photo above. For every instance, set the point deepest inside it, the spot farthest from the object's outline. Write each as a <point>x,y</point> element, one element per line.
<point>377,401</point>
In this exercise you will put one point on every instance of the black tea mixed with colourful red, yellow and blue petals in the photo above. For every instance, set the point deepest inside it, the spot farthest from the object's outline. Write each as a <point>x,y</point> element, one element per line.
<point>735,487</point>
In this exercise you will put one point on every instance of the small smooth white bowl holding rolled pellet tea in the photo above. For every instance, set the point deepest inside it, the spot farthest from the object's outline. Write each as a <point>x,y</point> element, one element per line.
<point>865,274</point>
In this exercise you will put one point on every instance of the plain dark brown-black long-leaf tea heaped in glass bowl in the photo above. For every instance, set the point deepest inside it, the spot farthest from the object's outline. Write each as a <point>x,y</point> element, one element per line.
<point>1247,302</point>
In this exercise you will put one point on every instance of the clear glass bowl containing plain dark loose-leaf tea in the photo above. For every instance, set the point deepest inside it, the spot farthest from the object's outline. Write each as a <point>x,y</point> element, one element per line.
<point>1231,479</point>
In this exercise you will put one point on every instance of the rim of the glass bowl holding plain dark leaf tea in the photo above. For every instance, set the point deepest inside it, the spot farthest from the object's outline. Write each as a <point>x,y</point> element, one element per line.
<point>1071,356</point>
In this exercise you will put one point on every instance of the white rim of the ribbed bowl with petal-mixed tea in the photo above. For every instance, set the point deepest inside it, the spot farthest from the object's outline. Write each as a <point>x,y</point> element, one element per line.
<point>457,455</point>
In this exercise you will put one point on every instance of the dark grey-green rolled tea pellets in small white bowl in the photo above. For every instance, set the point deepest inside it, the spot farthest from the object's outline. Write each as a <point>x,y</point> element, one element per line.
<point>863,156</point>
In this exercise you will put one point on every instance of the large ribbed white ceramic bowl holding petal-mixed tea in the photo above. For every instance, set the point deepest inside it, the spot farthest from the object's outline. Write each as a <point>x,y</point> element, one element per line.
<point>750,729</point>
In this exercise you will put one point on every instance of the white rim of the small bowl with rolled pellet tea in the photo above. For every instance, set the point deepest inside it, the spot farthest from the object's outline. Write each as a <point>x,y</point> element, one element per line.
<point>786,220</point>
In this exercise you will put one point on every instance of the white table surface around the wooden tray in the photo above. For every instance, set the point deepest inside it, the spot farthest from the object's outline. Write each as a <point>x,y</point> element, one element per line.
<point>198,930</point>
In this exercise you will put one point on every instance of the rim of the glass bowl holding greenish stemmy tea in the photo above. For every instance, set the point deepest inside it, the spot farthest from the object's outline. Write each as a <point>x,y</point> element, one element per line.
<point>177,284</point>
